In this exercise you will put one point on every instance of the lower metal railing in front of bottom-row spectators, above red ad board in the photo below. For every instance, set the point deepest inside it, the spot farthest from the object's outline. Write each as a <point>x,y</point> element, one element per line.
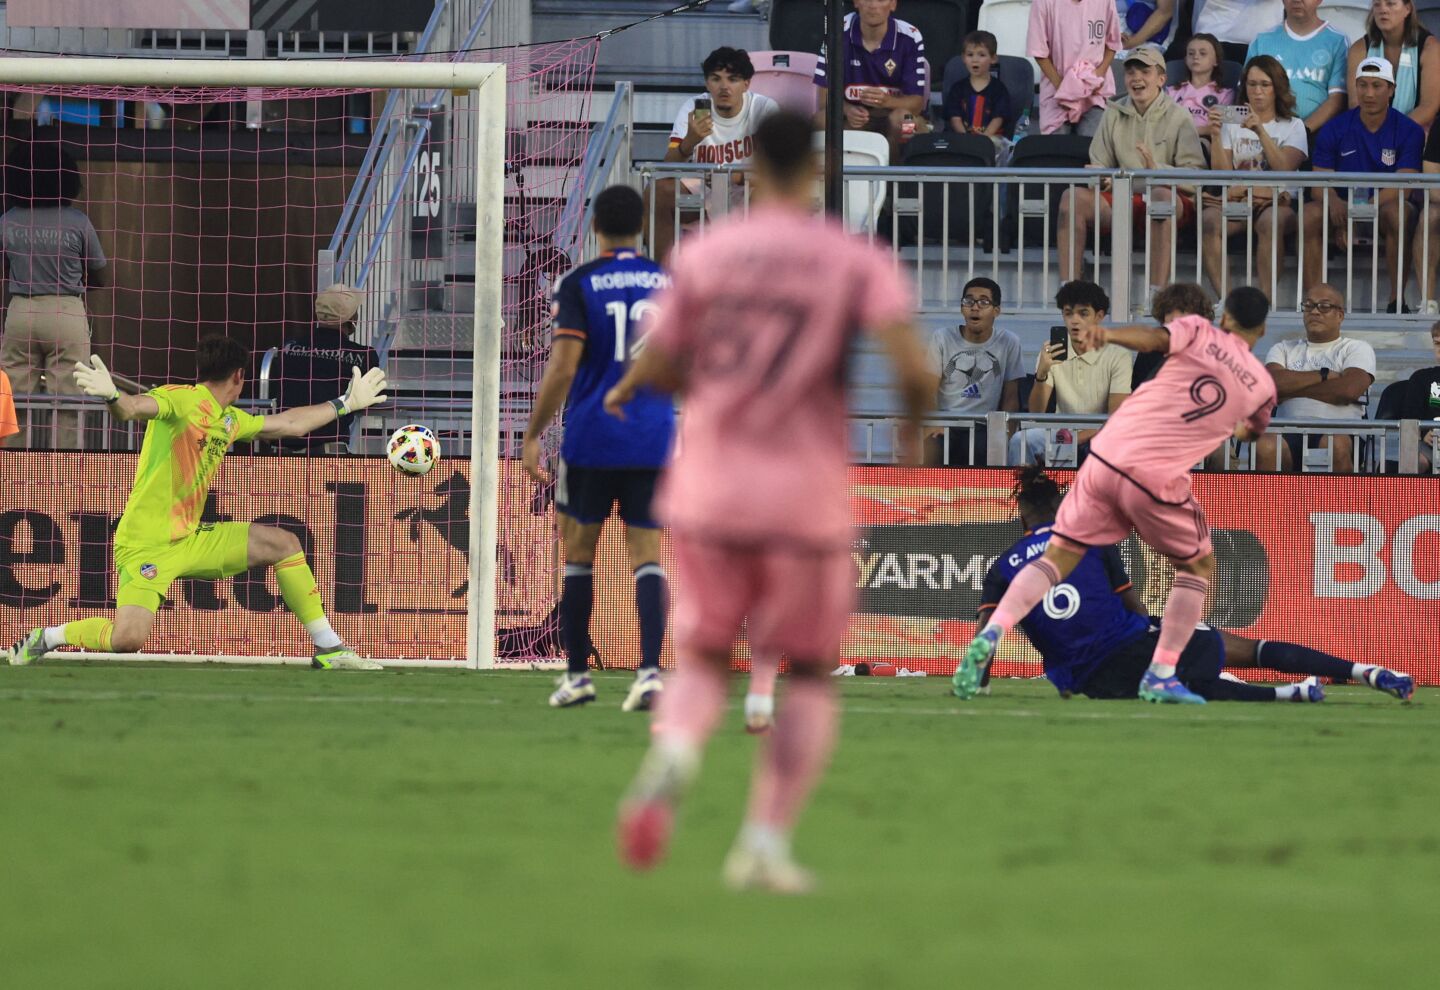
<point>989,440</point>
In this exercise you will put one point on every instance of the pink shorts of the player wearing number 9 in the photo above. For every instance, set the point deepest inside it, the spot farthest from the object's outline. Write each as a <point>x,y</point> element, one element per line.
<point>1104,506</point>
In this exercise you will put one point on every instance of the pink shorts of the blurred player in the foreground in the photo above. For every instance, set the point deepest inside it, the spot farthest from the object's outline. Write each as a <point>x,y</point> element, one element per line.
<point>791,601</point>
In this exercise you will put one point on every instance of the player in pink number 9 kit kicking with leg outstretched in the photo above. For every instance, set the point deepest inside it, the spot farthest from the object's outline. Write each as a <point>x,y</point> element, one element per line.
<point>1210,389</point>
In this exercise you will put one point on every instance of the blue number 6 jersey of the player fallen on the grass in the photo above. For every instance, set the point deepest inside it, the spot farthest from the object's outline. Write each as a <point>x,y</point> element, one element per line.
<point>1082,621</point>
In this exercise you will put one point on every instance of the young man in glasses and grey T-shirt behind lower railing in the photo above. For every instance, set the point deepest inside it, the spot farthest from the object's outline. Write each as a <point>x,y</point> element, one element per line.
<point>978,371</point>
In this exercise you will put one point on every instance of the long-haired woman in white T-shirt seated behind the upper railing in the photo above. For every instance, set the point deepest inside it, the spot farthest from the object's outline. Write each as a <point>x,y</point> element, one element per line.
<point>1272,139</point>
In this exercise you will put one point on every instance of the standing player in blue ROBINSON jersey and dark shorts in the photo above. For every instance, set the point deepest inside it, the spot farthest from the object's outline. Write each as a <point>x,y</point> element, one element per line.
<point>598,312</point>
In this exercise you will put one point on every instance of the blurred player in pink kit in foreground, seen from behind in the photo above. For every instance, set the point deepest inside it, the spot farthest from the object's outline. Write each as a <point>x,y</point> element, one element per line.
<point>755,333</point>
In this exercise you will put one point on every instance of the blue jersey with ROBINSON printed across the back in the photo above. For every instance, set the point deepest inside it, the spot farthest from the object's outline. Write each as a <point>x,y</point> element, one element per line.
<point>603,304</point>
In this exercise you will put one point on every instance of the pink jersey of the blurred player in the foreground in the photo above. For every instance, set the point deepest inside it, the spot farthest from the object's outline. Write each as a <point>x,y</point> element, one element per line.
<point>761,316</point>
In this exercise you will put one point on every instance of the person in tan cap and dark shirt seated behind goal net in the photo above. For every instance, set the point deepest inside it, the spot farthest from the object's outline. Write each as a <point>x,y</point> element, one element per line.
<point>318,369</point>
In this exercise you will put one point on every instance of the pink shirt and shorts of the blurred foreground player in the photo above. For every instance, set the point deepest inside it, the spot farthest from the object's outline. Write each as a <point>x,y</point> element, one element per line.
<point>761,316</point>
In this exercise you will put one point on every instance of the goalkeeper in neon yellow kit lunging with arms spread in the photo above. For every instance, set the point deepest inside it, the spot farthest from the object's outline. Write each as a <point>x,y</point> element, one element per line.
<point>161,537</point>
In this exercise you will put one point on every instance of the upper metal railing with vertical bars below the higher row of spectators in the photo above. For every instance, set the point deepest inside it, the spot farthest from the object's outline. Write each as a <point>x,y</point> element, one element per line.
<point>957,224</point>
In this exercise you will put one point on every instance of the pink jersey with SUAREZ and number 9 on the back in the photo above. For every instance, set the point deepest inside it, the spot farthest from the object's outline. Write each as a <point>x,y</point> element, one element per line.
<point>1209,385</point>
